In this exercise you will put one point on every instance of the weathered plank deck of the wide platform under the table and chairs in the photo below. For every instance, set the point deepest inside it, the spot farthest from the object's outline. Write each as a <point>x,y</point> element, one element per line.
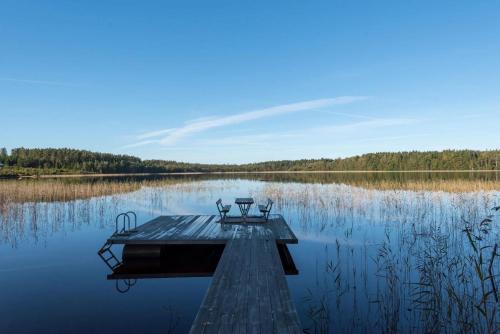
<point>203,229</point>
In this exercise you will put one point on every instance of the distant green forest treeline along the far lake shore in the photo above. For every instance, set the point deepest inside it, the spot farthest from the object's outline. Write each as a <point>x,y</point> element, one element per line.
<point>64,160</point>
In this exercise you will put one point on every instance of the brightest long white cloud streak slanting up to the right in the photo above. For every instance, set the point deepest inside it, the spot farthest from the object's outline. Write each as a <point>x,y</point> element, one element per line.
<point>171,136</point>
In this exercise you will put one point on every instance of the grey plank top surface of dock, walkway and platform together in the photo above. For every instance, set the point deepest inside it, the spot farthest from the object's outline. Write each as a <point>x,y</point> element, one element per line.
<point>249,292</point>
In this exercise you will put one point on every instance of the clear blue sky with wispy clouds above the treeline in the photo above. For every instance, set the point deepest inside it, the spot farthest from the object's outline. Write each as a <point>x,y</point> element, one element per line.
<point>244,81</point>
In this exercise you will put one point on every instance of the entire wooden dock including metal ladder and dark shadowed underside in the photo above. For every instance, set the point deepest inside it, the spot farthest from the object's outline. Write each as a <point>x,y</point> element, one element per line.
<point>248,261</point>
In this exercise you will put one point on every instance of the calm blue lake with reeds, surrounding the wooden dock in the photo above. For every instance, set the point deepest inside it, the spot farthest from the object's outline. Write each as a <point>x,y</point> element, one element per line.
<point>377,252</point>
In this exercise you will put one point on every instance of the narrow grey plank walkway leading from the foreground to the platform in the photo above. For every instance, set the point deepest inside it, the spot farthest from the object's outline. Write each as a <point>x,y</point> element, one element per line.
<point>249,292</point>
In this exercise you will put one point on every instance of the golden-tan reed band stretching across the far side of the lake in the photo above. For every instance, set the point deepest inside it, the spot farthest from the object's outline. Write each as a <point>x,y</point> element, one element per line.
<point>54,190</point>
